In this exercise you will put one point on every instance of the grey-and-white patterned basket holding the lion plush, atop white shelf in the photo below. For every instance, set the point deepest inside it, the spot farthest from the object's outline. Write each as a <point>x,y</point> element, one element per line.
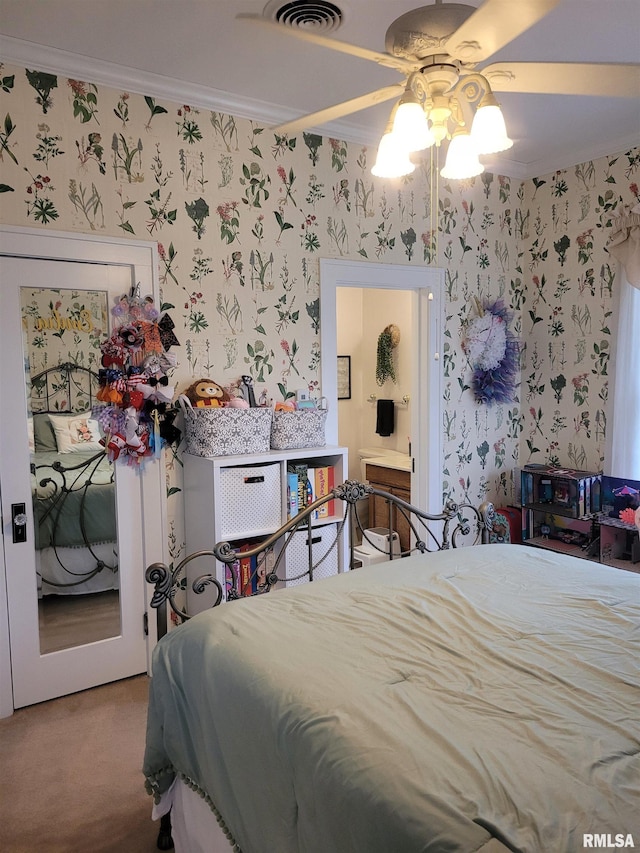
<point>227,432</point>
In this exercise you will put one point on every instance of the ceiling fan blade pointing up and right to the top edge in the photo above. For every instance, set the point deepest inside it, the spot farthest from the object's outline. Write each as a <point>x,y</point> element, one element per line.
<point>494,24</point>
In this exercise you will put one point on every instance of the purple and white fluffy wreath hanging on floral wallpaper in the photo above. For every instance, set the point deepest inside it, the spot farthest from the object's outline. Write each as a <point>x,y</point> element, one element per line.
<point>493,352</point>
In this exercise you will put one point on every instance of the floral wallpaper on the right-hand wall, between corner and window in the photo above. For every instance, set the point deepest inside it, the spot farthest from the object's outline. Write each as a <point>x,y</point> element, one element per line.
<point>568,282</point>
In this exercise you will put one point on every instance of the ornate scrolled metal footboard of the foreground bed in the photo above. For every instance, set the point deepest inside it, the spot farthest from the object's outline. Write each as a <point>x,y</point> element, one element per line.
<point>430,532</point>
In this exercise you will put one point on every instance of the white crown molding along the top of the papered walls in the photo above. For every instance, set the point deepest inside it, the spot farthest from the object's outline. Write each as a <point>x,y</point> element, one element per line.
<point>127,79</point>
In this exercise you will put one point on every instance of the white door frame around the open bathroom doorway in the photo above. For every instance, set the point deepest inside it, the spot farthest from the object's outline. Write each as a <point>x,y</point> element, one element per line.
<point>427,284</point>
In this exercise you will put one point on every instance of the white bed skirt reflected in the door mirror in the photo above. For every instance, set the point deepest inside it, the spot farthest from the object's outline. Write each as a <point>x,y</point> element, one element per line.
<point>76,560</point>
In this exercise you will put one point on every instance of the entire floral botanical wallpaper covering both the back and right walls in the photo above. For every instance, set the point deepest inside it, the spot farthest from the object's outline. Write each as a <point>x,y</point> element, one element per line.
<point>242,215</point>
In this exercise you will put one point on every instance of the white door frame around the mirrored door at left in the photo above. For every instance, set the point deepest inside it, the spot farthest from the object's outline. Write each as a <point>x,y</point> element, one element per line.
<point>51,245</point>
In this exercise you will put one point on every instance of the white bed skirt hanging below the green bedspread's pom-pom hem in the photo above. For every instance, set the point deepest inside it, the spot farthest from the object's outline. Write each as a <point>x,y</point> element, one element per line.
<point>194,827</point>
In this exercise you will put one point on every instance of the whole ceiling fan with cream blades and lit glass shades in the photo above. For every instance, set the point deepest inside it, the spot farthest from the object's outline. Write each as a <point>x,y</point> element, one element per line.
<point>446,94</point>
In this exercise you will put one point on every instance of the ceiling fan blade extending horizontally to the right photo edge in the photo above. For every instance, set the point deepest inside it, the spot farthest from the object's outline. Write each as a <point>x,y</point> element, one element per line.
<point>565,78</point>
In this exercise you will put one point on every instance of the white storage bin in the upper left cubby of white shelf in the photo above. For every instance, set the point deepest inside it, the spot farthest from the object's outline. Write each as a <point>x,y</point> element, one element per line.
<point>250,500</point>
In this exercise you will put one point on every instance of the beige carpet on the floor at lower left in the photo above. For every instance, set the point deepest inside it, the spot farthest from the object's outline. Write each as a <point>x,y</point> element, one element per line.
<point>70,777</point>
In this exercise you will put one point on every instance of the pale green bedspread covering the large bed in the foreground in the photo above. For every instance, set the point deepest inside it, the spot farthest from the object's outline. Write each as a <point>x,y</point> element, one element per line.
<point>429,704</point>
